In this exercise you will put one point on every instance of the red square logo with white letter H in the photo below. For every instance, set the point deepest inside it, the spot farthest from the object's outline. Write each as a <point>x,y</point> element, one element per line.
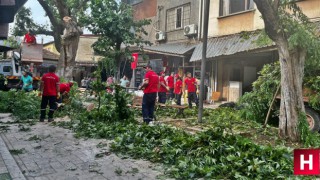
<point>306,162</point>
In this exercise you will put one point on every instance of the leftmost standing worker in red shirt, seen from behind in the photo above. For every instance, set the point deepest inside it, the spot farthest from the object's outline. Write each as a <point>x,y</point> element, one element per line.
<point>50,92</point>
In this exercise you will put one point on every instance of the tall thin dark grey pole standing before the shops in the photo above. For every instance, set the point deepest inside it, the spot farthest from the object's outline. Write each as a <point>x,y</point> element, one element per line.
<point>204,57</point>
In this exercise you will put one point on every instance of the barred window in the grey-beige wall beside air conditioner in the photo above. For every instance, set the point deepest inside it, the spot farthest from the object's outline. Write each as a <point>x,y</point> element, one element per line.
<point>178,17</point>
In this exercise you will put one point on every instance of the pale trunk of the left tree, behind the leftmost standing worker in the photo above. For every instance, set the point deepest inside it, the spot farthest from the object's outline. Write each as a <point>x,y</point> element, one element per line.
<point>68,50</point>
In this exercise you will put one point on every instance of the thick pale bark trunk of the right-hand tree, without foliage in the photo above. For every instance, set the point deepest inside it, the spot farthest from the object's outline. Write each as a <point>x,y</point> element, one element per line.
<point>292,70</point>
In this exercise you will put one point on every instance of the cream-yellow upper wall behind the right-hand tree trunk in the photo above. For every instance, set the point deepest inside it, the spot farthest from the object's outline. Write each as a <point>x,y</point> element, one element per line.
<point>250,20</point>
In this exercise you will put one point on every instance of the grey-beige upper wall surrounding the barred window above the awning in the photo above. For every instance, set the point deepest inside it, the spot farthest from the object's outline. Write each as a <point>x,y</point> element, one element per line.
<point>176,35</point>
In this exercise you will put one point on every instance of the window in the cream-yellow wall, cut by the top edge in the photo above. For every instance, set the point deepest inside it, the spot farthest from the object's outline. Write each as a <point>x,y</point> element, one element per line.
<point>233,6</point>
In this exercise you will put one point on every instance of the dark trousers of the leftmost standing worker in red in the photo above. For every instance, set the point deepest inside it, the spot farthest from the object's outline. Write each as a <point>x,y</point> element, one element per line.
<point>51,100</point>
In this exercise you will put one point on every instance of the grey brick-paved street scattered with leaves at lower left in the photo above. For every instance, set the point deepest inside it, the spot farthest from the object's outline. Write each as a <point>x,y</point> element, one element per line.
<point>47,152</point>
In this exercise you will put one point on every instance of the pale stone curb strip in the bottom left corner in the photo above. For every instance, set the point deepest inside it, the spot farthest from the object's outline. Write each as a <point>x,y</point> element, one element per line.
<point>9,161</point>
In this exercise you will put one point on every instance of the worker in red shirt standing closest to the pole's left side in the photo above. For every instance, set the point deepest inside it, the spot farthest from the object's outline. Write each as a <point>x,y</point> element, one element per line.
<point>191,84</point>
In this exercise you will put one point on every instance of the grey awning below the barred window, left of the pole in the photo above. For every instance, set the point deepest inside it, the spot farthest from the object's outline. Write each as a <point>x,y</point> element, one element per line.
<point>175,49</point>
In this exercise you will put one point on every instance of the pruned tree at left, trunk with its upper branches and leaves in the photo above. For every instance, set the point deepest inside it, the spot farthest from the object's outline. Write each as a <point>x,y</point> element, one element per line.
<point>67,44</point>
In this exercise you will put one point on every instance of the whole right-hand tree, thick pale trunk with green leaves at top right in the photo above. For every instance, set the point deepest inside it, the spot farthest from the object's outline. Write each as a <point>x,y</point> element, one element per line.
<point>295,37</point>
